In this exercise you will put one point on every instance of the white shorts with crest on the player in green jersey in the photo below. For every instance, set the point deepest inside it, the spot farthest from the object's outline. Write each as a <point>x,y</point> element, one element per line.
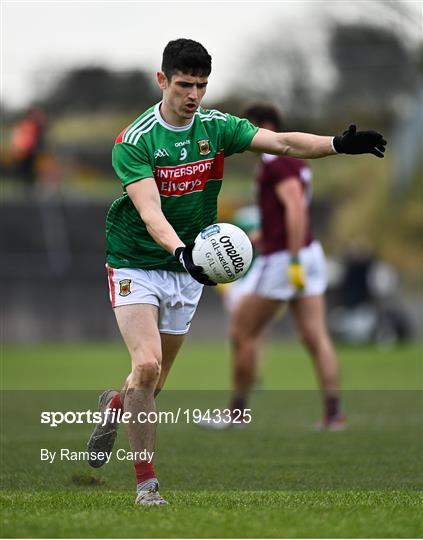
<point>176,294</point>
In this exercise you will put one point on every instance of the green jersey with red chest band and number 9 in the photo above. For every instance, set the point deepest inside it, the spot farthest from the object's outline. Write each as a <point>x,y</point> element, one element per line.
<point>187,164</point>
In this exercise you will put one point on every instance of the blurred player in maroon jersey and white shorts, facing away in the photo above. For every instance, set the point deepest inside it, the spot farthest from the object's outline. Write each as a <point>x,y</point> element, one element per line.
<point>289,270</point>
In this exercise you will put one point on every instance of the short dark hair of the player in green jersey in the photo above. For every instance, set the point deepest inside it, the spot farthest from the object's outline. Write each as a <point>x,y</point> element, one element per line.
<point>187,56</point>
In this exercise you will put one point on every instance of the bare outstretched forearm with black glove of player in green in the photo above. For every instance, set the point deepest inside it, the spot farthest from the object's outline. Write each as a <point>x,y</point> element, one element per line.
<point>308,146</point>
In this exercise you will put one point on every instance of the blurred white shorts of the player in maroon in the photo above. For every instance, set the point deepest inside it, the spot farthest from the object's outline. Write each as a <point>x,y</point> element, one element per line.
<point>268,276</point>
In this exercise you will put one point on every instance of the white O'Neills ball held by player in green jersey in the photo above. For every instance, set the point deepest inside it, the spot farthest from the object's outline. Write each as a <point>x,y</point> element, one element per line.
<point>224,251</point>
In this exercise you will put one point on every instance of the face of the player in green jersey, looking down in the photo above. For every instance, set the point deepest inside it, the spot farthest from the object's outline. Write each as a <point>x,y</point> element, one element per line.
<point>182,96</point>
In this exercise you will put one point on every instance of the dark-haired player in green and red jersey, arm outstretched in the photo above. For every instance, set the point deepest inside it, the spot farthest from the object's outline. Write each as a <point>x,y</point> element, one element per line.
<point>170,162</point>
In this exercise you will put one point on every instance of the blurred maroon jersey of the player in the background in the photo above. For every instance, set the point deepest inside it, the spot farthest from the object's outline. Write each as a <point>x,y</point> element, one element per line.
<point>272,171</point>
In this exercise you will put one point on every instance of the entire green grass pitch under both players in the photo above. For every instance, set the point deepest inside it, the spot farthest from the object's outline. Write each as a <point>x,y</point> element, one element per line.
<point>278,478</point>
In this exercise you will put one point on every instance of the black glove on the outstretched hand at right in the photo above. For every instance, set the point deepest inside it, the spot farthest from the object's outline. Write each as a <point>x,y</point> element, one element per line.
<point>359,142</point>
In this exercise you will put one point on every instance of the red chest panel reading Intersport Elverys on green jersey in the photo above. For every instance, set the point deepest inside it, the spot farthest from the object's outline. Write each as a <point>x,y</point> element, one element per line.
<point>189,177</point>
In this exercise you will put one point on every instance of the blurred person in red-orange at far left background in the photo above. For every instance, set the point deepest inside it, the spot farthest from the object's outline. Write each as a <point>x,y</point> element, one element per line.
<point>28,140</point>
